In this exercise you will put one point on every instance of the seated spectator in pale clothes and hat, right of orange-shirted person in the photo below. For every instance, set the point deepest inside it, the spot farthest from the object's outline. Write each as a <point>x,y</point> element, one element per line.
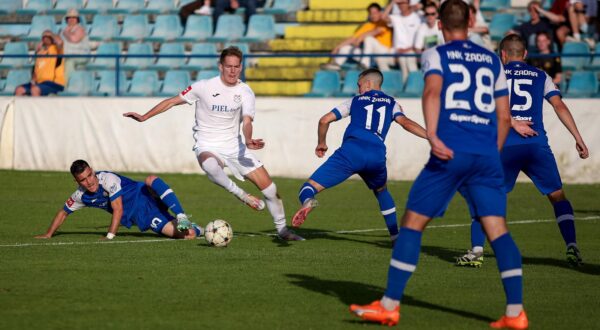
<point>75,41</point>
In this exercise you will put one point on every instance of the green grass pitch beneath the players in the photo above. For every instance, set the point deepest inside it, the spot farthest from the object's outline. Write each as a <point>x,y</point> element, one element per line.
<point>259,282</point>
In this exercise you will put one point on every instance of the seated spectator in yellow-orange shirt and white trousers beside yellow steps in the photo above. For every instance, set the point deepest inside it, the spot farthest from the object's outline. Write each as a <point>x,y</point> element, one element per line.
<point>372,37</point>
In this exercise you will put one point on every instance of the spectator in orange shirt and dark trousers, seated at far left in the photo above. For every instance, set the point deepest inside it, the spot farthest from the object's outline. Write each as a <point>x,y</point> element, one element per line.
<point>48,72</point>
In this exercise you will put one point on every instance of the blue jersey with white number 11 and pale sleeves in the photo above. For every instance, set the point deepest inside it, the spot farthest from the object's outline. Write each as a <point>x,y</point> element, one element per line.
<point>371,115</point>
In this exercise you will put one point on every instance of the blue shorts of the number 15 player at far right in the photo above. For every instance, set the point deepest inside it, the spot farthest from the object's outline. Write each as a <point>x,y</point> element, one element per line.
<point>536,161</point>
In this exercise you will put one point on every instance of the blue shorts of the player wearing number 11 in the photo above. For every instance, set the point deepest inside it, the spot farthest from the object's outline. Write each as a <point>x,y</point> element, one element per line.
<point>354,157</point>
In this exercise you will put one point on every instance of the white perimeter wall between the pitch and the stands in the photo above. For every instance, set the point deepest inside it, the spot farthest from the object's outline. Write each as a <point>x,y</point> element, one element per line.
<point>49,133</point>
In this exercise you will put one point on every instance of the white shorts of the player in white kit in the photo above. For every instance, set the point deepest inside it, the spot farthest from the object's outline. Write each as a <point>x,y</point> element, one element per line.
<point>239,160</point>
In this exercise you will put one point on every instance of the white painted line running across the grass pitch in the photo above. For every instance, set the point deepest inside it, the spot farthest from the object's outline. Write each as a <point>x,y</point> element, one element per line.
<point>517,222</point>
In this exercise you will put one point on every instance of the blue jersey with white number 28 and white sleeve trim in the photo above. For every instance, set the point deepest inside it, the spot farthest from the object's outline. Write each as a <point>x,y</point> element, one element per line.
<point>473,78</point>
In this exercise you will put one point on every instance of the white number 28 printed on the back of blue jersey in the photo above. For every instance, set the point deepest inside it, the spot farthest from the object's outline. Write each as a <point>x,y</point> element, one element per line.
<point>481,88</point>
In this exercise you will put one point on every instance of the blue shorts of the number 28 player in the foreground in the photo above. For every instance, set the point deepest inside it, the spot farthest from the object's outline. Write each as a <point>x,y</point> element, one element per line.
<point>479,177</point>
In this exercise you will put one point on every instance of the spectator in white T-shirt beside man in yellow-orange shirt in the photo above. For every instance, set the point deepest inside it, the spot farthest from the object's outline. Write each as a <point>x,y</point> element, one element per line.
<point>405,28</point>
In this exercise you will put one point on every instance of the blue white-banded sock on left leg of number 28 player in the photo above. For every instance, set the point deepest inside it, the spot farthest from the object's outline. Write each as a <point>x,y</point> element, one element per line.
<point>405,257</point>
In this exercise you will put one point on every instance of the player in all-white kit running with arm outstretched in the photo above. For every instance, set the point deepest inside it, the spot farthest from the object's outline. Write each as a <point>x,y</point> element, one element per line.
<point>221,104</point>
